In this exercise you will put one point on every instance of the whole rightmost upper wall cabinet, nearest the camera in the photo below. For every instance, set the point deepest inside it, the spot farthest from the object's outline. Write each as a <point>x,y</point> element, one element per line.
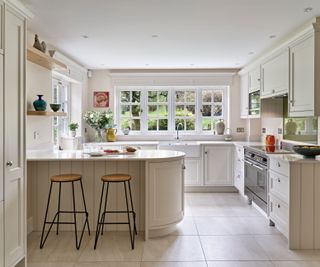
<point>304,63</point>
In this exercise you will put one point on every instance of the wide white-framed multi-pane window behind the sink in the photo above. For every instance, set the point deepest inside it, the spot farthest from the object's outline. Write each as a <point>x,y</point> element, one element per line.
<point>161,109</point>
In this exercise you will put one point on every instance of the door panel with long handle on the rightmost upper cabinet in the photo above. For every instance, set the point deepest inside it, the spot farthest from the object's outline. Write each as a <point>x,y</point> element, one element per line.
<point>302,78</point>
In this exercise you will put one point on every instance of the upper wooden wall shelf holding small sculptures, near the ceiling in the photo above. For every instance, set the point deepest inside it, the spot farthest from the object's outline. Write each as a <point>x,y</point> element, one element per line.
<point>44,60</point>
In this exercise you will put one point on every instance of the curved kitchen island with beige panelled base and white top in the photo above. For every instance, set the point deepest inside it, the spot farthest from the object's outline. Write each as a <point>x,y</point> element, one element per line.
<point>157,187</point>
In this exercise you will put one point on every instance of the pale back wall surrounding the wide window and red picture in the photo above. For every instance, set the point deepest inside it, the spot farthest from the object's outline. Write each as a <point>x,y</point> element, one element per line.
<point>105,80</point>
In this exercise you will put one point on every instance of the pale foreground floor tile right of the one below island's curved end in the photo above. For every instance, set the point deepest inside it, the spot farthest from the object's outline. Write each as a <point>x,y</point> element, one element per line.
<point>232,248</point>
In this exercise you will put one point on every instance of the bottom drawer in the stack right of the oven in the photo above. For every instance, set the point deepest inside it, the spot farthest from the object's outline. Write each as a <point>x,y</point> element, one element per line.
<point>279,214</point>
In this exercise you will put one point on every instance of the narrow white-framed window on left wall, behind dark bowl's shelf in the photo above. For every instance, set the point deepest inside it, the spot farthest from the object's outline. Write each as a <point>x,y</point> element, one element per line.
<point>61,95</point>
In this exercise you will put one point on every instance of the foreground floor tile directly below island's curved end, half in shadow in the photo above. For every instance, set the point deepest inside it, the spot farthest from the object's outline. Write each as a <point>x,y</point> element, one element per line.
<point>173,248</point>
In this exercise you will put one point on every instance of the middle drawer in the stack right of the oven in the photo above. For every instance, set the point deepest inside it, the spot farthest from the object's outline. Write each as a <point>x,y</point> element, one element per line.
<point>279,185</point>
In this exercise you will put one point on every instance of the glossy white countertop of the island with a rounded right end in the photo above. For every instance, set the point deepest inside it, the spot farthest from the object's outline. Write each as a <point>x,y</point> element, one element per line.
<point>45,155</point>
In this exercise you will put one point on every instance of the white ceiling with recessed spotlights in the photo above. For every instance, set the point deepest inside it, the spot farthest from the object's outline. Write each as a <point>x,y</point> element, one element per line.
<point>191,33</point>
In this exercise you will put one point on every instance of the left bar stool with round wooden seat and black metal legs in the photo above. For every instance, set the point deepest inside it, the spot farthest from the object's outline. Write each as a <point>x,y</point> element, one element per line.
<point>65,178</point>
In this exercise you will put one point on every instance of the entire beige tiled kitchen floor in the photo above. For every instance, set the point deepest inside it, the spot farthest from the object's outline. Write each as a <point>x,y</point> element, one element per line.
<point>219,230</point>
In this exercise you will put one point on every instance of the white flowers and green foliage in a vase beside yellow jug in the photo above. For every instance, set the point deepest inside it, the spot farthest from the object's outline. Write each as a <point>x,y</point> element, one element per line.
<point>99,120</point>
